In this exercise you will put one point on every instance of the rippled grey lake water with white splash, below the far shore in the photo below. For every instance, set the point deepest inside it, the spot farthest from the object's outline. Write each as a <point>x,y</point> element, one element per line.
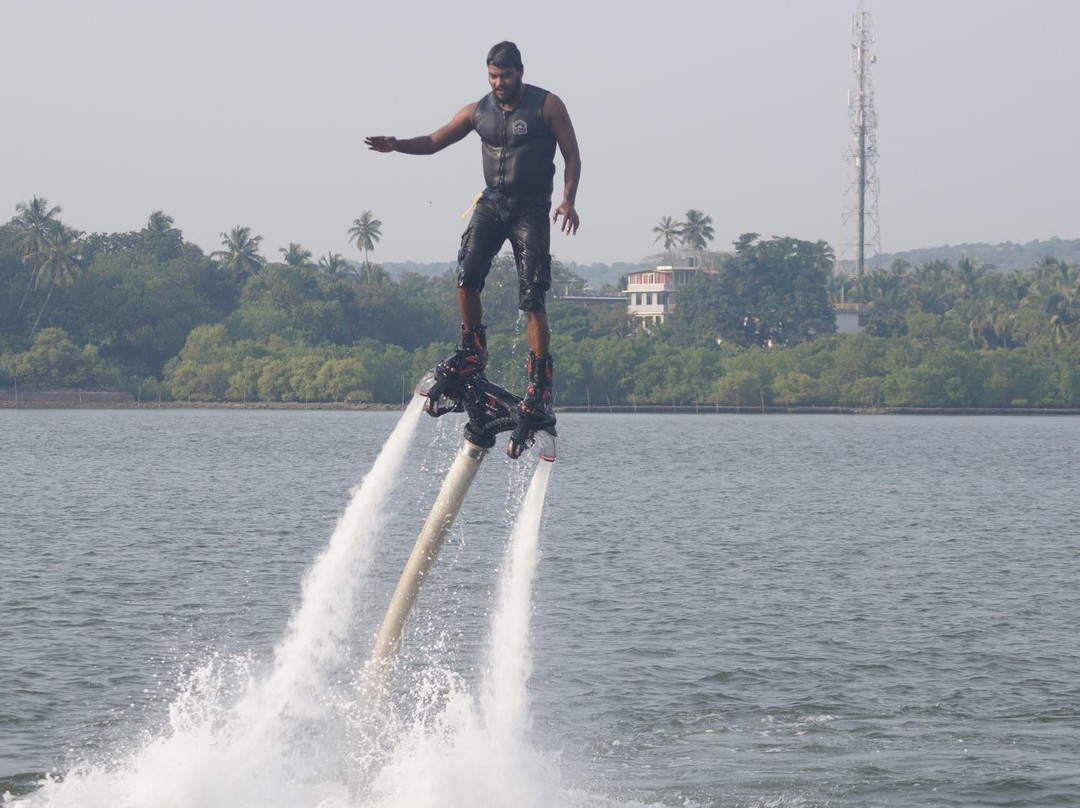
<point>730,611</point>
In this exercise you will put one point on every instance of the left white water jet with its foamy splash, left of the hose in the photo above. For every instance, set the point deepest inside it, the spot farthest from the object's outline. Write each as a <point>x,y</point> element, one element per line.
<point>238,740</point>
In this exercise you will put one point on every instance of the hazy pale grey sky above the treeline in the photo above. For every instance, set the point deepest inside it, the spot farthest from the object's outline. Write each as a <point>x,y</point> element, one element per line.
<point>232,113</point>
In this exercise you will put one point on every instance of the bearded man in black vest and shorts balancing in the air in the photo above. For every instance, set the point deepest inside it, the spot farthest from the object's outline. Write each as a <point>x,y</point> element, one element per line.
<point>520,126</point>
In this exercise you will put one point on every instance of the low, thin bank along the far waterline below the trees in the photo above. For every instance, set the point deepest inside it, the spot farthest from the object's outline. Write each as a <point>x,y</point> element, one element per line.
<point>64,399</point>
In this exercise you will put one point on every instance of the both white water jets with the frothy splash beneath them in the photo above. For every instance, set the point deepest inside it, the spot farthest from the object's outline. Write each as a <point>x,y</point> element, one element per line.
<point>238,736</point>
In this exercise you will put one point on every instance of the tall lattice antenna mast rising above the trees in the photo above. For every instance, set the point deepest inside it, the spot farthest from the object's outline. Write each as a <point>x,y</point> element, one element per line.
<point>861,228</point>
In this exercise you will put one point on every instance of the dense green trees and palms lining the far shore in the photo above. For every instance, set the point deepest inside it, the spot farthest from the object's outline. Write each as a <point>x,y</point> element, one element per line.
<point>148,311</point>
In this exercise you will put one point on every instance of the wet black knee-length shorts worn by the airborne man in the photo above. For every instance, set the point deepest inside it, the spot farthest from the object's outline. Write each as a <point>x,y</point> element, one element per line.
<point>496,220</point>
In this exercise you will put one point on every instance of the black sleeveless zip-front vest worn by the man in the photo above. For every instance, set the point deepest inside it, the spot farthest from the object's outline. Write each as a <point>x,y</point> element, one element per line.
<point>519,150</point>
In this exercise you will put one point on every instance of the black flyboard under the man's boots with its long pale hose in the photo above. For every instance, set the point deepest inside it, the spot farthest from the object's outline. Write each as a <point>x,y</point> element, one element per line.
<point>492,410</point>
